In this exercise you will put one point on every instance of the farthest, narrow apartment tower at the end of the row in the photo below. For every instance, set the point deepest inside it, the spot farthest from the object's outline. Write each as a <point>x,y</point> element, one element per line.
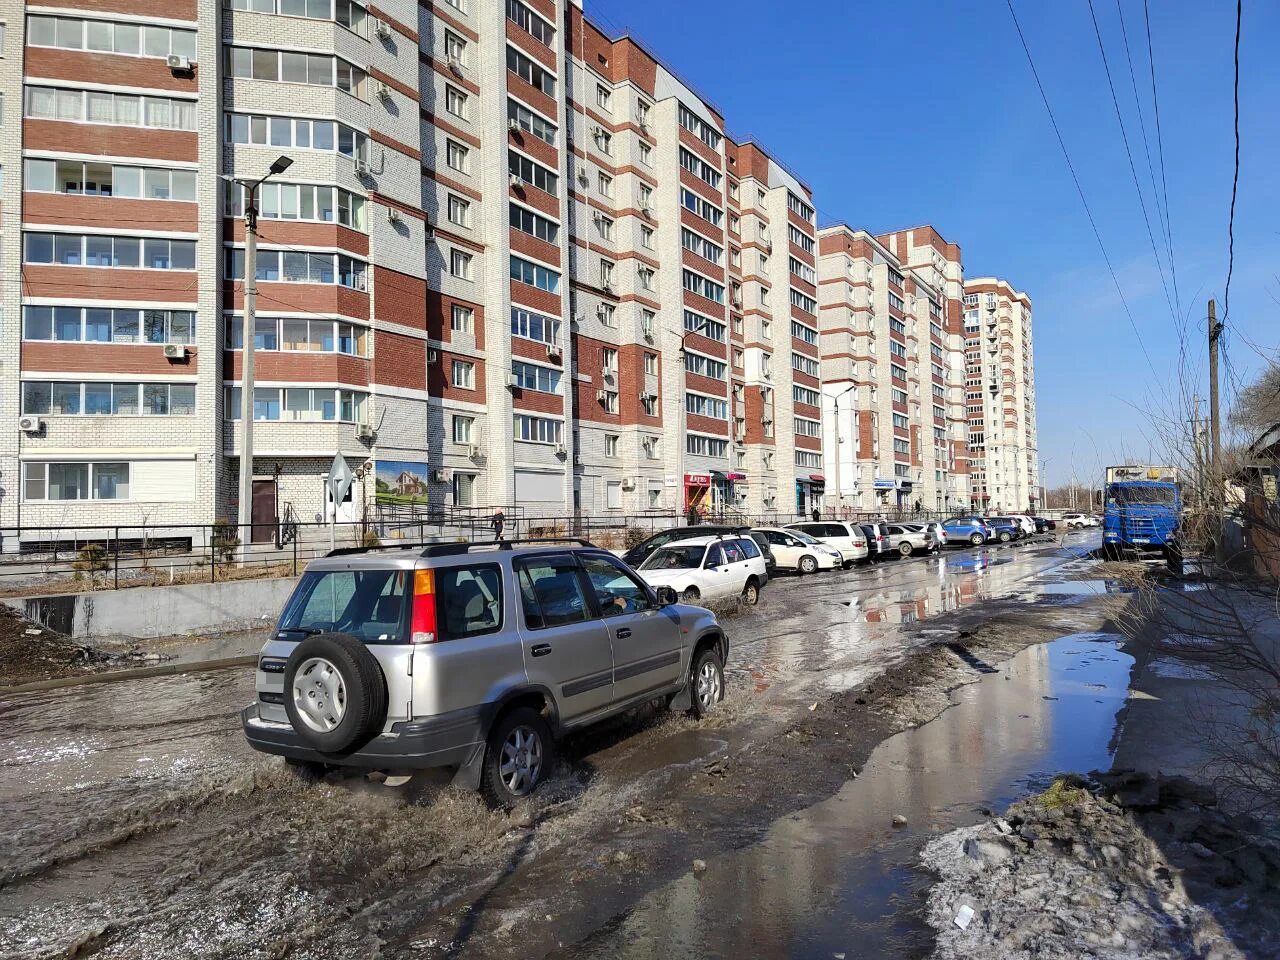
<point>1000,395</point>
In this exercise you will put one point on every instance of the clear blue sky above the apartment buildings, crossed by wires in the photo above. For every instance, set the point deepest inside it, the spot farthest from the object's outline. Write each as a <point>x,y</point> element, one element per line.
<point>900,112</point>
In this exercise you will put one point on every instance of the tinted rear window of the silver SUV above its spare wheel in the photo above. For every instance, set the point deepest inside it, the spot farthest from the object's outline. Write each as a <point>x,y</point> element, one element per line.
<point>371,605</point>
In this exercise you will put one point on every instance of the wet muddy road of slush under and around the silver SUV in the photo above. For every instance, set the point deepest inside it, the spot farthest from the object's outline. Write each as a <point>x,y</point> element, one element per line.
<point>139,825</point>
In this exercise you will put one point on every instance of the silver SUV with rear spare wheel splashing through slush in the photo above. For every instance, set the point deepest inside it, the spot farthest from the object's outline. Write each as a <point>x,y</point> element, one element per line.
<point>473,656</point>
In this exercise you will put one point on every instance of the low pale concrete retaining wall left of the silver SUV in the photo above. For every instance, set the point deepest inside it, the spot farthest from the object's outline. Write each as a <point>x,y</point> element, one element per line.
<point>148,612</point>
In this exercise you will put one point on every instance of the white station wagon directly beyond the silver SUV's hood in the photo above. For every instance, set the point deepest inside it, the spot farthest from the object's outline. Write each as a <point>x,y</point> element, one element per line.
<point>708,569</point>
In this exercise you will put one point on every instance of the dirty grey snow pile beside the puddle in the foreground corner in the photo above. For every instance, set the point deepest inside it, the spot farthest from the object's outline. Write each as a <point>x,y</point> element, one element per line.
<point>1127,867</point>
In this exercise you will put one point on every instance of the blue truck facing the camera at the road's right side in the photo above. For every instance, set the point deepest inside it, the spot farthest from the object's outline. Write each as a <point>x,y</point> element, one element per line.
<point>1144,513</point>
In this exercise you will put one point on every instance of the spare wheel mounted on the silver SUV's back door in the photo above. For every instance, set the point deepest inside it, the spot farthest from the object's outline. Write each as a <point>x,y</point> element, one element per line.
<point>335,693</point>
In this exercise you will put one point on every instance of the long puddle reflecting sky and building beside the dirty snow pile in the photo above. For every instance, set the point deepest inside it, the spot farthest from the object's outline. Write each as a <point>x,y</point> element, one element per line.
<point>839,880</point>
